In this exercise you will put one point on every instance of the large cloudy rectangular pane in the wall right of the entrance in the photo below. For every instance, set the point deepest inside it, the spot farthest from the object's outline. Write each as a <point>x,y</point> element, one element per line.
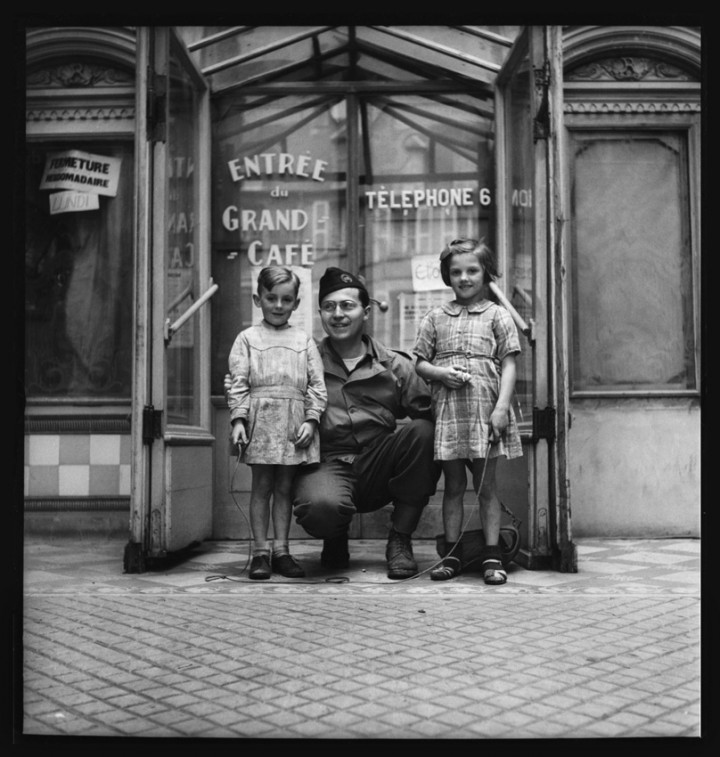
<point>629,222</point>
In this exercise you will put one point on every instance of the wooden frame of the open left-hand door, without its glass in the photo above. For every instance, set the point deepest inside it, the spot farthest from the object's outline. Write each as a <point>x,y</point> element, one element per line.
<point>153,439</point>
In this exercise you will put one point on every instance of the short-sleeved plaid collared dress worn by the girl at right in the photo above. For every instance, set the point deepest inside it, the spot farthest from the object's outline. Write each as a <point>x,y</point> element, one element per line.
<point>475,339</point>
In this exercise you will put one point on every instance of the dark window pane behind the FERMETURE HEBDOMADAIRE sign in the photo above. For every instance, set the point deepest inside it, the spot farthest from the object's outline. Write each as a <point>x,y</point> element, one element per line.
<point>78,279</point>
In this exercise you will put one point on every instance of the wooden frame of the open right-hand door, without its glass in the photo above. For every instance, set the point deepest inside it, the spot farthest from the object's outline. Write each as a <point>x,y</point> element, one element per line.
<point>549,541</point>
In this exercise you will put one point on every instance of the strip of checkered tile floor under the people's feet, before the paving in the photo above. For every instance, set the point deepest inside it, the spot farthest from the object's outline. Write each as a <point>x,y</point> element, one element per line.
<point>605,566</point>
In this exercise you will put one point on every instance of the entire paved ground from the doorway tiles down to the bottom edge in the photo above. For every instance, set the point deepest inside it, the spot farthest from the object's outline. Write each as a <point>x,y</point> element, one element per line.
<point>198,650</point>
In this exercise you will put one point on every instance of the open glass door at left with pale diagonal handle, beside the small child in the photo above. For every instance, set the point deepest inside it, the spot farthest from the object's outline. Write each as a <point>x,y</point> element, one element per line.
<point>171,497</point>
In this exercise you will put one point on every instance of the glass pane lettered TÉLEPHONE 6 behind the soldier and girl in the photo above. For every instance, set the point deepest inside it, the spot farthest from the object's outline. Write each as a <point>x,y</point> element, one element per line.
<point>428,174</point>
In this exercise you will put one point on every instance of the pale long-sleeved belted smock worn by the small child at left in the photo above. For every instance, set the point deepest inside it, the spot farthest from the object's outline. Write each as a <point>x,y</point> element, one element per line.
<point>277,384</point>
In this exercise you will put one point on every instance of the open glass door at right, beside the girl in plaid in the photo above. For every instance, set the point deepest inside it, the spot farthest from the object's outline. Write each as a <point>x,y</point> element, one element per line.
<point>529,127</point>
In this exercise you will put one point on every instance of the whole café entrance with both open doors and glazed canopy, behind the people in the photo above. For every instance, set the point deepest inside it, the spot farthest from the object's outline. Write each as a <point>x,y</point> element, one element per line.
<point>363,147</point>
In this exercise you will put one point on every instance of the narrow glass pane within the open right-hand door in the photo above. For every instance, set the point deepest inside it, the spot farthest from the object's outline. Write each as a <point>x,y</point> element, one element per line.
<point>520,238</point>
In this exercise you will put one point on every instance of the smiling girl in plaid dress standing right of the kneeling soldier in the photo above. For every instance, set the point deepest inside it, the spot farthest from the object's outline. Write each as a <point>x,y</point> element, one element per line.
<point>466,349</point>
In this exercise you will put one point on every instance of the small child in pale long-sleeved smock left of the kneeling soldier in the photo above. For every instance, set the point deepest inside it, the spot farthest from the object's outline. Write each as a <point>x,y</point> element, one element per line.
<point>276,398</point>
